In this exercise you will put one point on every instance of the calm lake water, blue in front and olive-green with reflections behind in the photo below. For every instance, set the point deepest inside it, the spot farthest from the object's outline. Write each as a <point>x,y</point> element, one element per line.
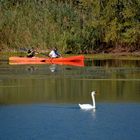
<point>39,102</point>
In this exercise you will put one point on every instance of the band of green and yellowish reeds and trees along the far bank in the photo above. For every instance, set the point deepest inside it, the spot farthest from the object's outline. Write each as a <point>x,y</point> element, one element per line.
<point>77,26</point>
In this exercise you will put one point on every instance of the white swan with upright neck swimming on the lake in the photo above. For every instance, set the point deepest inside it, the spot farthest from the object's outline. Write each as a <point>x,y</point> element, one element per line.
<point>88,106</point>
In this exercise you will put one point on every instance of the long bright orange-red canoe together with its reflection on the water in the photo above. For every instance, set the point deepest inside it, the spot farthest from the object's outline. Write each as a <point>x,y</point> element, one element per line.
<point>71,60</point>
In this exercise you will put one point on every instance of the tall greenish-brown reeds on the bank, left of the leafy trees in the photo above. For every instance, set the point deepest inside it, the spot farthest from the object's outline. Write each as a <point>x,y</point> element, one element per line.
<point>33,24</point>
